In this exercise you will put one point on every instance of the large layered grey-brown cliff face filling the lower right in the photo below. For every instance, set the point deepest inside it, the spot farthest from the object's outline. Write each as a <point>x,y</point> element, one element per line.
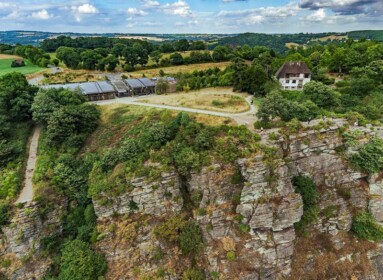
<point>247,212</point>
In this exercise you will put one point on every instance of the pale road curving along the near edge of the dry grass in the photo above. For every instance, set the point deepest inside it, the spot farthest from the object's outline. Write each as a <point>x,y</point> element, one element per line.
<point>246,118</point>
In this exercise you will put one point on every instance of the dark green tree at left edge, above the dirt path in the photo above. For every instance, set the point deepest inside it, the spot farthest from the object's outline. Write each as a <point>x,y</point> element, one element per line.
<point>16,96</point>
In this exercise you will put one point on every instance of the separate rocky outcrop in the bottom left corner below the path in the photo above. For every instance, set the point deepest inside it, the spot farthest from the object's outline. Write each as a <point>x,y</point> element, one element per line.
<point>21,240</point>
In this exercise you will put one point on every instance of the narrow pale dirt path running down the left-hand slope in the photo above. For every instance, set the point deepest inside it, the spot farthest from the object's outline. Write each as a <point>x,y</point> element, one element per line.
<point>27,192</point>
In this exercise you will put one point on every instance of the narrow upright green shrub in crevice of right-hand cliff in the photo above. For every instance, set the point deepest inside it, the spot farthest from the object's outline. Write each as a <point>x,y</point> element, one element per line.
<point>306,187</point>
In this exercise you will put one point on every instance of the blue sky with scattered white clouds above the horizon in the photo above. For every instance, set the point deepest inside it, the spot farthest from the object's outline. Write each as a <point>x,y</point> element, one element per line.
<point>191,16</point>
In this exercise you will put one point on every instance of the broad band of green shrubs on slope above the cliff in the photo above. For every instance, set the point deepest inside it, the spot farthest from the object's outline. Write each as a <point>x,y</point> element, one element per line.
<point>156,141</point>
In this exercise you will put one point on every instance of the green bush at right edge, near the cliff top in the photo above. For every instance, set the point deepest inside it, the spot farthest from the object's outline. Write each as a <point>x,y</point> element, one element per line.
<point>370,157</point>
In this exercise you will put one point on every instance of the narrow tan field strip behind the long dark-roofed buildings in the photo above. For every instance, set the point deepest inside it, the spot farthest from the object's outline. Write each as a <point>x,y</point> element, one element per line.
<point>175,69</point>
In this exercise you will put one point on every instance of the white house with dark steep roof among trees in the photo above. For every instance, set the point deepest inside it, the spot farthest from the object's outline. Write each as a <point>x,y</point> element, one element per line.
<point>293,75</point>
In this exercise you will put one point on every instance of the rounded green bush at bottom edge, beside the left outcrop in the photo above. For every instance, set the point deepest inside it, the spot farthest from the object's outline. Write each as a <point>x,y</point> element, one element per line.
<point>78,261</point>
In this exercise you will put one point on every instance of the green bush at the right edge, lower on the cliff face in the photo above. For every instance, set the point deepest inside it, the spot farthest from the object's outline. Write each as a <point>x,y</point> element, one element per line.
<point>364,226</point>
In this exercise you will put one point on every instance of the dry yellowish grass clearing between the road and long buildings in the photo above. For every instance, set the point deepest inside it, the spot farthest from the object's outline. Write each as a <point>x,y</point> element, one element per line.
<point>213,99</point>
